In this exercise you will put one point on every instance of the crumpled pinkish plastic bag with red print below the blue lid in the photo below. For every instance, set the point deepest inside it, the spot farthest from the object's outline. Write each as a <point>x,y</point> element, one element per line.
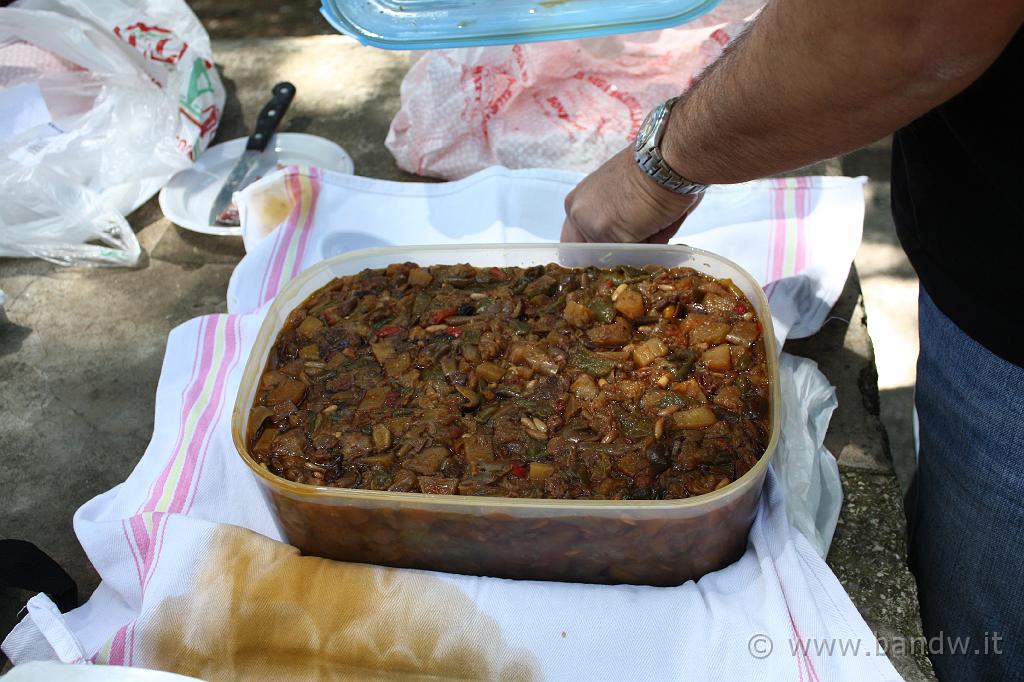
<point>565,105</point>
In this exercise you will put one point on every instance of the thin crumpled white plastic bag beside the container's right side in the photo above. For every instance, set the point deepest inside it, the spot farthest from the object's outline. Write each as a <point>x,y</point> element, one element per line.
<point>806,470</point>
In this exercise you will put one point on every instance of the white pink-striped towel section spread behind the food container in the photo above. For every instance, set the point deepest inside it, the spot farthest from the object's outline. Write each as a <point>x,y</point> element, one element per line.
<point>797,236</point>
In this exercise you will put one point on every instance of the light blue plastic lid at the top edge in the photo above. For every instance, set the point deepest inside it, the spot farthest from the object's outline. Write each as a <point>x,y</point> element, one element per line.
<point>420,25</point>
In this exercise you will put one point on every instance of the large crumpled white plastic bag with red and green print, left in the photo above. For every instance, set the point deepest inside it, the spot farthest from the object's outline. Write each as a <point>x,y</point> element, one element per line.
<point>130,97</point>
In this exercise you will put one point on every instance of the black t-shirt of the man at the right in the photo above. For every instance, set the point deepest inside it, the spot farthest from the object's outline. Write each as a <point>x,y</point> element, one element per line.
<point>958,195</point>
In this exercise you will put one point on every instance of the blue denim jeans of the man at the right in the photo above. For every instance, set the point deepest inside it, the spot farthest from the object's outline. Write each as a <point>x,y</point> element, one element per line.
<point>966,513</point>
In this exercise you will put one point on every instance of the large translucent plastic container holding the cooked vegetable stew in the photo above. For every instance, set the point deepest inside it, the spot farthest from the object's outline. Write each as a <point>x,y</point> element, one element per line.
<point>638,542</point>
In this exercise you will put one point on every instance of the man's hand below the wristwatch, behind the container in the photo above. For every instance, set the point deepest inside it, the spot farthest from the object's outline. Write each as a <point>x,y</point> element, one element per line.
<point>620,203</point>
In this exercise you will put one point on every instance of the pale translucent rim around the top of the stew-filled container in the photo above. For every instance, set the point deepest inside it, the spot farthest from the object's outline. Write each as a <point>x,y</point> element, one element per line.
<point>240,424</point>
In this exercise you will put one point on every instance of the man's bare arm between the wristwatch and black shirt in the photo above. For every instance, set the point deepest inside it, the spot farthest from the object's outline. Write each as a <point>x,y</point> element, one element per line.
<point>813,79</point>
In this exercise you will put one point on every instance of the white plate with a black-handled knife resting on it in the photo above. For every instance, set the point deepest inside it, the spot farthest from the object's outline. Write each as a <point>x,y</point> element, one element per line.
<point>189,196</point>
